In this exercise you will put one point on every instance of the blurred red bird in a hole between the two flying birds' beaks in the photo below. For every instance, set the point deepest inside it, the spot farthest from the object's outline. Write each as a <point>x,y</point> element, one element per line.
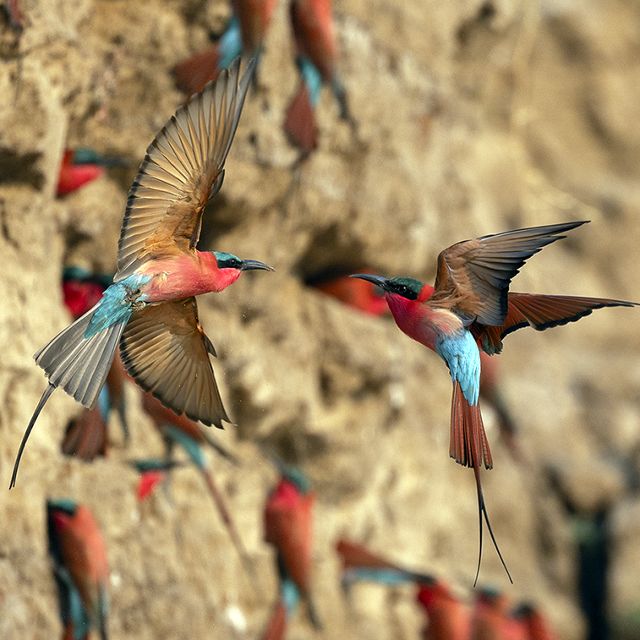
<point>354,293</point>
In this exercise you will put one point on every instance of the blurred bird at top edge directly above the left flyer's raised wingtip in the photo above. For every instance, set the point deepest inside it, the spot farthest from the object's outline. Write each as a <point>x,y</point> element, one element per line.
<point>243,35</point>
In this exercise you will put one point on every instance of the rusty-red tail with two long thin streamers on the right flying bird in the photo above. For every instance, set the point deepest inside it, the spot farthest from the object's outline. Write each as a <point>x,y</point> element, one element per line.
<point>470,447</point>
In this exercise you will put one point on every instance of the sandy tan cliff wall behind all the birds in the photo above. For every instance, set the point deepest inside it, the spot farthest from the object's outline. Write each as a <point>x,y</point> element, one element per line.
<point>474,117</point>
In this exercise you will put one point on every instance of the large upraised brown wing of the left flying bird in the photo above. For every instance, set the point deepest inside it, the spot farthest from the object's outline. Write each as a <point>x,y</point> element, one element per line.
<point>183,169</point>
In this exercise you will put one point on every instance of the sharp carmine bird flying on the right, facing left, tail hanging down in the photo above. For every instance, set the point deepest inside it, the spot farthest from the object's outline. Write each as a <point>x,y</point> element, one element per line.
<point>470,309</point>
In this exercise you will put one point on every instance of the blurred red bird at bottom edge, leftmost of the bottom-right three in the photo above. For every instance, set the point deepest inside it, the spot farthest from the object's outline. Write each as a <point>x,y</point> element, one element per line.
<point>449,619</point>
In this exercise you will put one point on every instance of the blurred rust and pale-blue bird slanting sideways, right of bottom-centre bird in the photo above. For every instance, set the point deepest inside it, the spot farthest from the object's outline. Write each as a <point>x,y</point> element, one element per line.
<point>361,565</point>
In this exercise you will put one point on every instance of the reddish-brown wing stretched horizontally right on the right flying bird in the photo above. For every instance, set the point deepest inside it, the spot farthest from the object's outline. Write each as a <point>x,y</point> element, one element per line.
<point>540,312</point>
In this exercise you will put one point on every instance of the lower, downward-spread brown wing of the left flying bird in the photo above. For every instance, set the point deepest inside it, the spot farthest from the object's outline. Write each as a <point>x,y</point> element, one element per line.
<point>165,349</point>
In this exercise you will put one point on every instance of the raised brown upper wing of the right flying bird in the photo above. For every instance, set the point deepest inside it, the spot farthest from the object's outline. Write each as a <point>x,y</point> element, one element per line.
<point>473,276</point>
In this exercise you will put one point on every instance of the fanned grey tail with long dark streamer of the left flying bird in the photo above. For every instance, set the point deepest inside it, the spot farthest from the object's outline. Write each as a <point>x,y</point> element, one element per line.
<point>76,363</point>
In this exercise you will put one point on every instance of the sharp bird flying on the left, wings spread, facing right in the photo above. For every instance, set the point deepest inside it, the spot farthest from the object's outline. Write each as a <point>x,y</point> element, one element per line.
<point>150,309</point>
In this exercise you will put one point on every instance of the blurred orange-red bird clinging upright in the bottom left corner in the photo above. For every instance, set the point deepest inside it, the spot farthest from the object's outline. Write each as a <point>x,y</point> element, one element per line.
<point>81,570</point>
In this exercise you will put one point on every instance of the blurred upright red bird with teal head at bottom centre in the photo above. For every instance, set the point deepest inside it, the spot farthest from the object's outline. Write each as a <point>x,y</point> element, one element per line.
<point>288,526</point>
